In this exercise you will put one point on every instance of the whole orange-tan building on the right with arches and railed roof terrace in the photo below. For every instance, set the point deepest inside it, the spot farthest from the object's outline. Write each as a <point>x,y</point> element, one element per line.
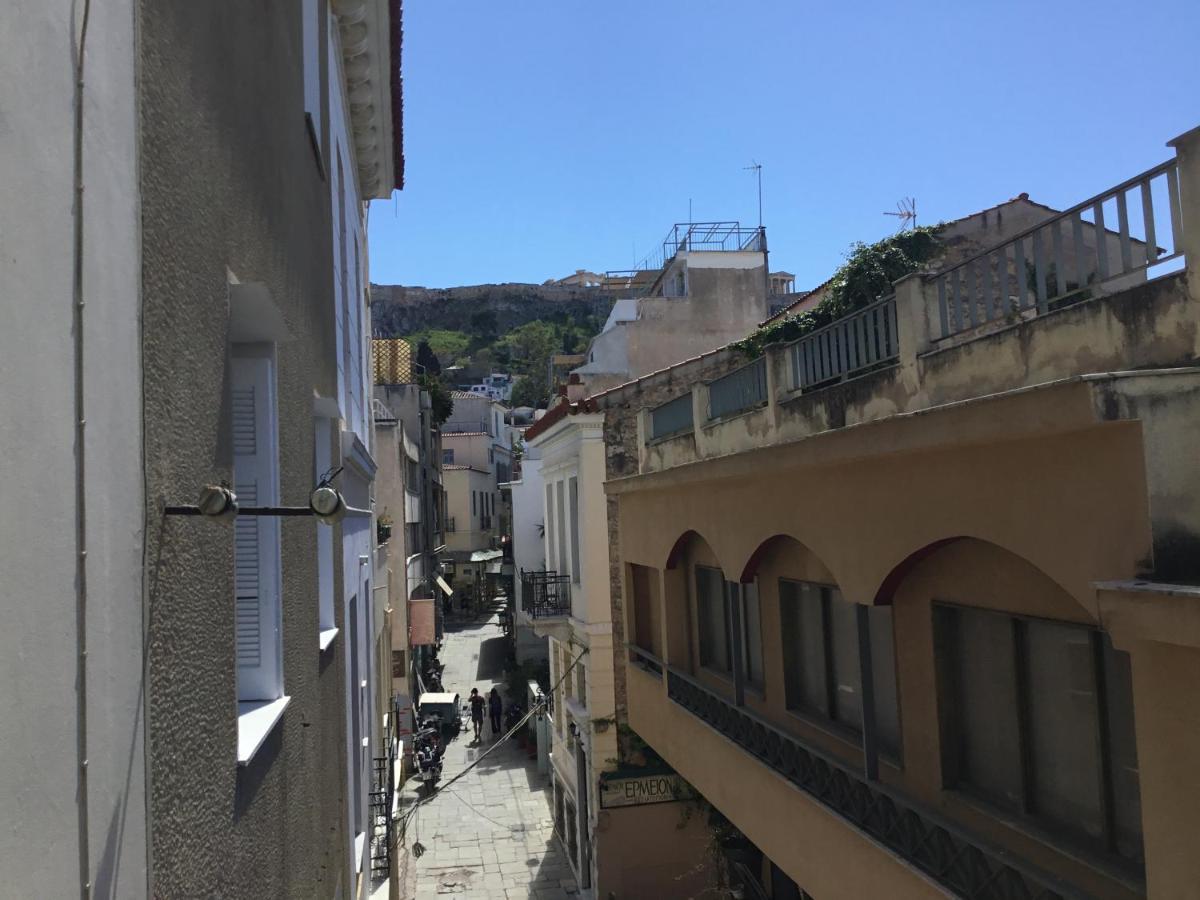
<point>911,602</point>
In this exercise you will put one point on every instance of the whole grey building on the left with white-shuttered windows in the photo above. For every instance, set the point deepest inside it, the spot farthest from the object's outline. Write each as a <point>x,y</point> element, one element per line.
<point>191,707</point>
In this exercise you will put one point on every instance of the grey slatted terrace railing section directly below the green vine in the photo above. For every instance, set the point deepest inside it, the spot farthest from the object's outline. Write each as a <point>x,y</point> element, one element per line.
<point>849,346</point>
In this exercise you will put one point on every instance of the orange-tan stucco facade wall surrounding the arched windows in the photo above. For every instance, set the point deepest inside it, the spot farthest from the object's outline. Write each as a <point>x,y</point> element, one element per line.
<point>1046,499</point>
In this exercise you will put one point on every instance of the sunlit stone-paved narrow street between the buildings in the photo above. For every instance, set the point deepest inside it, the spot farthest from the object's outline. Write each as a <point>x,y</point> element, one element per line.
<point>491,833</point>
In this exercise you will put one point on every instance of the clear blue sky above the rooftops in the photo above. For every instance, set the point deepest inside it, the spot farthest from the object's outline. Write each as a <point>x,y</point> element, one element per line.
<point>547,136</point>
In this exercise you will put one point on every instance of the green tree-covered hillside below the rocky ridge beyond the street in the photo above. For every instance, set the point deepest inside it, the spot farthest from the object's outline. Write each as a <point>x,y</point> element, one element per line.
<point>493,328</point>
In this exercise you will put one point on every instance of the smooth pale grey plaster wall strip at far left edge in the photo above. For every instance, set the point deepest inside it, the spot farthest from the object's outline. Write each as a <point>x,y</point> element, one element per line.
<point>40,641</point>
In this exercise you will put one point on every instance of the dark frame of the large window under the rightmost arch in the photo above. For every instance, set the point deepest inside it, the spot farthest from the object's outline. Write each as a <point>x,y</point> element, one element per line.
<point>949,703</point>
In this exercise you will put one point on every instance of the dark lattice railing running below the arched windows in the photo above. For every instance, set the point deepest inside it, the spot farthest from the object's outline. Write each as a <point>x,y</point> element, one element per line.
<point>965,866</point>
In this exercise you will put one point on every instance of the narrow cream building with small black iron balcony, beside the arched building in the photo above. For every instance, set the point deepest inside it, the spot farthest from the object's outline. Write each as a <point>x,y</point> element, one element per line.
<point>566,598</point>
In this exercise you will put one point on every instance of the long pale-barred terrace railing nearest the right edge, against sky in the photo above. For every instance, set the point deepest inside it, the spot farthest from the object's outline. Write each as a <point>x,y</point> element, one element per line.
<point>1060,261</point>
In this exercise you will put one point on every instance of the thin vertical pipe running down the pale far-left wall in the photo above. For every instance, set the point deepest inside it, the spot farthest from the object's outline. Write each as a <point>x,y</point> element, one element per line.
<point>77,304</point>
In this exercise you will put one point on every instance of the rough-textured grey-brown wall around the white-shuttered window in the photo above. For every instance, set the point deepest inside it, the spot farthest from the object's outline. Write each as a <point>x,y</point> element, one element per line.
<point>230,181</point>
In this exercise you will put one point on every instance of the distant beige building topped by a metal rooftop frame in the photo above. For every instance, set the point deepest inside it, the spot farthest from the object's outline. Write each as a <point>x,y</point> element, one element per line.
<point>707,287</point>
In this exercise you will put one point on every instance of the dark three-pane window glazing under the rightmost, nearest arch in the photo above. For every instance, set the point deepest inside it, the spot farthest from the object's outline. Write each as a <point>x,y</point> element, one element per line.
<point>1035,715</point>
